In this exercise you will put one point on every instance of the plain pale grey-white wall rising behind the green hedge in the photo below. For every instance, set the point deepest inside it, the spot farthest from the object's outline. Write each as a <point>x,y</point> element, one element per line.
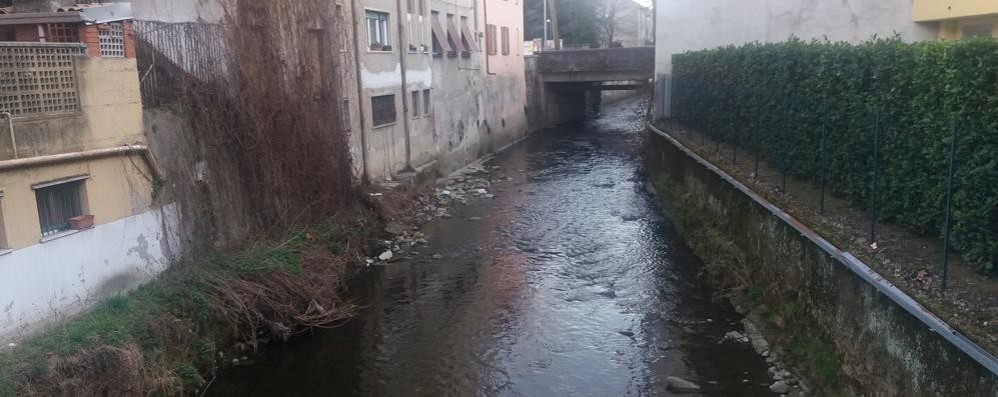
<point>684,25</point>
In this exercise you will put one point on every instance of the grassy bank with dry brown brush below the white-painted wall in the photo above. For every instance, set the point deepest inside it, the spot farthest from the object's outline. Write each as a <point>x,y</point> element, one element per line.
<point>166,337</point>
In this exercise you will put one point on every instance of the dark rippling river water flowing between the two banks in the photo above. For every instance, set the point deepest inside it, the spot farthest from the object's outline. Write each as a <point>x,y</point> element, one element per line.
<point>572,283</point>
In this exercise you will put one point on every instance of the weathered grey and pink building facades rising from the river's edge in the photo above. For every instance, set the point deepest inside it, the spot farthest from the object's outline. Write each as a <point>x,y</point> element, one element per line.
<point>445,89</point>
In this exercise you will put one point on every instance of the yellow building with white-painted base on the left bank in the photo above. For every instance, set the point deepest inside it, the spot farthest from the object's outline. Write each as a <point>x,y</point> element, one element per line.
<point>79,218</point>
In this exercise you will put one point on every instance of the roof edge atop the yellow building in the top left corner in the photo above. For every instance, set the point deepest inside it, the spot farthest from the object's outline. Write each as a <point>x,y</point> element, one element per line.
<point>85,13</point>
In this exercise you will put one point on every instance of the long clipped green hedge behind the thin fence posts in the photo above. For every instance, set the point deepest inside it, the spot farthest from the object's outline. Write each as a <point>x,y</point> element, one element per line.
<point>775,99</point>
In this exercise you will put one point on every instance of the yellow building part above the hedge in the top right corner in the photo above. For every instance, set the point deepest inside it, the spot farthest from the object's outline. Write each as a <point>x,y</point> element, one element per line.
<point>959,19</point>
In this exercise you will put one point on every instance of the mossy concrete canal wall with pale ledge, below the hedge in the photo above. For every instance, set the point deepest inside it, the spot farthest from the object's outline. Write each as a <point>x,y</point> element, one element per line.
<point>839,320</point>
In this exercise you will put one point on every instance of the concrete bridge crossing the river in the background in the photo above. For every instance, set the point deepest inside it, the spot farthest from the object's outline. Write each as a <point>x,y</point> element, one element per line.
<point>559,82</point>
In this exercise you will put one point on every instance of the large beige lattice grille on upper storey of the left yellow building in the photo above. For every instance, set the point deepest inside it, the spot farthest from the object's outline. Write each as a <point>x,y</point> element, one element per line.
<point>38,79</point>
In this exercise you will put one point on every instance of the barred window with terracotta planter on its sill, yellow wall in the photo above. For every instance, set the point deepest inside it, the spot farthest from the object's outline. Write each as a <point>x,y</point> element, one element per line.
<point>57,203</point>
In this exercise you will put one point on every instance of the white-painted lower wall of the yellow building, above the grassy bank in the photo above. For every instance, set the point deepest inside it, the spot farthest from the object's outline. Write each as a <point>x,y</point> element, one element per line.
<point>47,282</point>
